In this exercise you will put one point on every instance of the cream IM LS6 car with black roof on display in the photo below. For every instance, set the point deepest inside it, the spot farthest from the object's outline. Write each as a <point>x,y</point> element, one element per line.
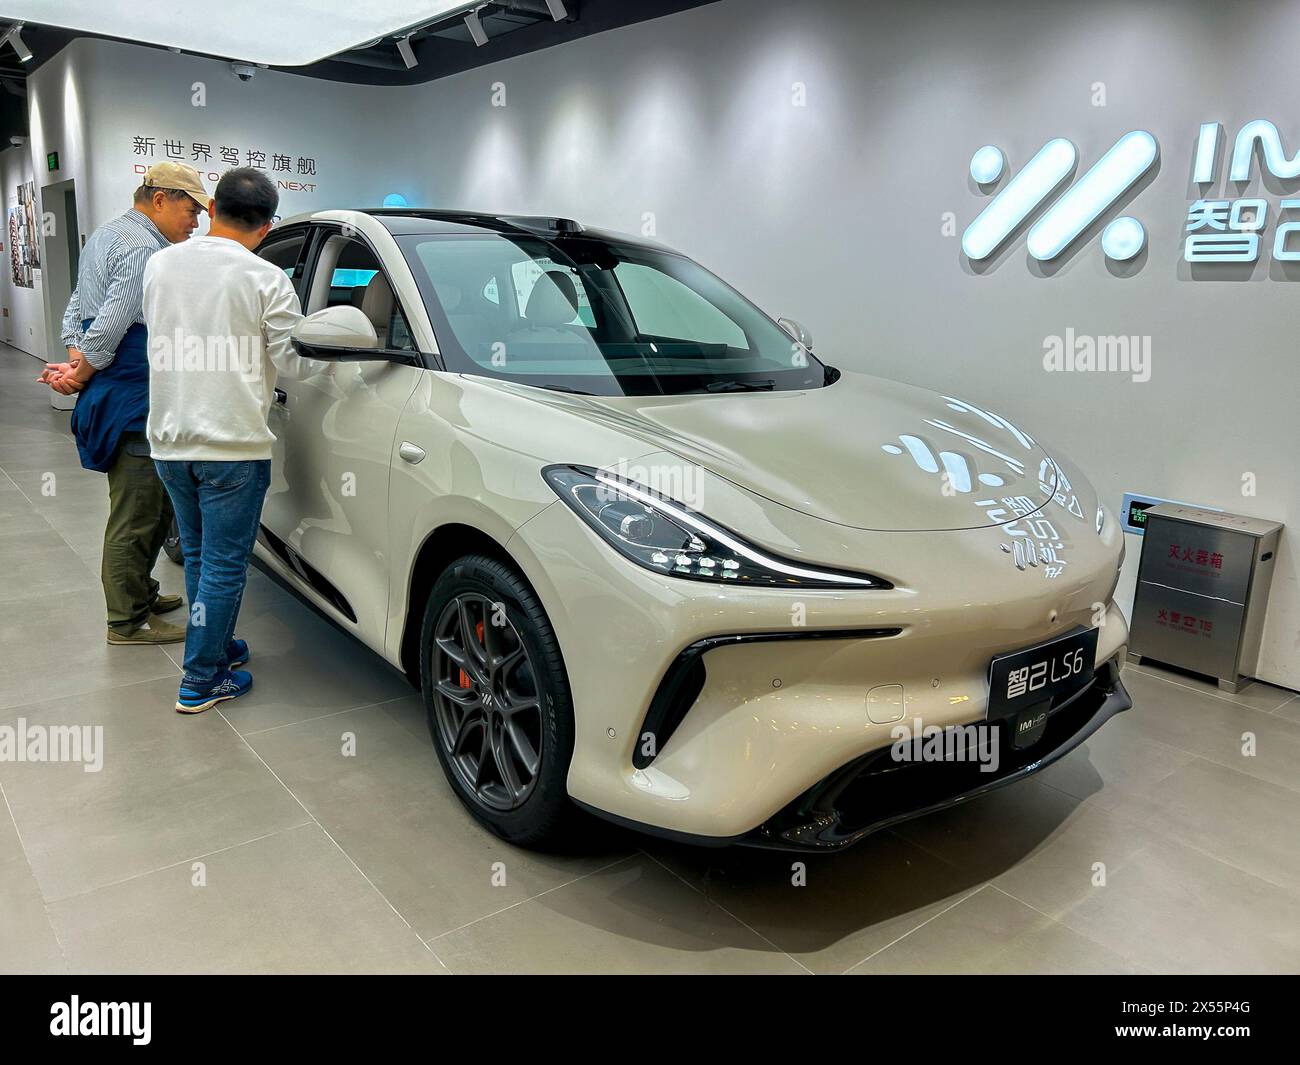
<point>648,557</point>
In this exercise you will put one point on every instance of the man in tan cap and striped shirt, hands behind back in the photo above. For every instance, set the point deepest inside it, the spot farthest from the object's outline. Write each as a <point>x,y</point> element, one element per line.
<point>109,370</point>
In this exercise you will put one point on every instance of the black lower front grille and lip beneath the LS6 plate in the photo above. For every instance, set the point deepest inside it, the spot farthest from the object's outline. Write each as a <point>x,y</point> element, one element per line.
<point>877,791</point>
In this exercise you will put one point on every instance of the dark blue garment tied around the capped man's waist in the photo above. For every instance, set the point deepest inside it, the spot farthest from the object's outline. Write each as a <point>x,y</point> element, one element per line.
<point>115,401</point>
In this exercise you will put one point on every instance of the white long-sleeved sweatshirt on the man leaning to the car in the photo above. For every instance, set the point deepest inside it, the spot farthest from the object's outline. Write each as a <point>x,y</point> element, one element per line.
<point>219,321</point>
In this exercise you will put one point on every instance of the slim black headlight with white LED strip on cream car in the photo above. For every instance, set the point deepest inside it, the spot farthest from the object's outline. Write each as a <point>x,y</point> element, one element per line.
<point>669,538</point>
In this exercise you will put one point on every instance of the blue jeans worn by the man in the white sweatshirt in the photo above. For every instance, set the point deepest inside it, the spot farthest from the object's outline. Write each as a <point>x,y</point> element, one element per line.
<point>218,508</point>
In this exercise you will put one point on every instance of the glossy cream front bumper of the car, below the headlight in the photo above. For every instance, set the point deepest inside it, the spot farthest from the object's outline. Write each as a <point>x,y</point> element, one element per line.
<point>788,704</point>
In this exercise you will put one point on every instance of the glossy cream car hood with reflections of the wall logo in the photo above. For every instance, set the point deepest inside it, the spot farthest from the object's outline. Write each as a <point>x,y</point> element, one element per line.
<point>866,453</point>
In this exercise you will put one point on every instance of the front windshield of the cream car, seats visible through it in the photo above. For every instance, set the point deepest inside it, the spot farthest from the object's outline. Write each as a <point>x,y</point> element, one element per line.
<point>590,315</point>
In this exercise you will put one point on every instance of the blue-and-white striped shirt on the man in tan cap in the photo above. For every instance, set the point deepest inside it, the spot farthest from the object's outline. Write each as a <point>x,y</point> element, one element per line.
<point>111,285</point>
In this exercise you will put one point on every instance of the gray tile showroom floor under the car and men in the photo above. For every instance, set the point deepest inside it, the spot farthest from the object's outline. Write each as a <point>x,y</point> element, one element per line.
<point>245,841</point>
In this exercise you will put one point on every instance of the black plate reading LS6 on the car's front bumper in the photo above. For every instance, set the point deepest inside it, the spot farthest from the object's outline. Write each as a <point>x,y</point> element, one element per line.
<point>1025,685</point>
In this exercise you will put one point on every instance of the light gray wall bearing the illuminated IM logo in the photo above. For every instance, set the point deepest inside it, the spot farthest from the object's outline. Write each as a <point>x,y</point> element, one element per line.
<point>820,161</point>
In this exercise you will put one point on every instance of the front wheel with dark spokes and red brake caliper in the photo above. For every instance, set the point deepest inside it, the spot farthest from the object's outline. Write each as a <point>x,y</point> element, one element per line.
<point>480,721</point>
